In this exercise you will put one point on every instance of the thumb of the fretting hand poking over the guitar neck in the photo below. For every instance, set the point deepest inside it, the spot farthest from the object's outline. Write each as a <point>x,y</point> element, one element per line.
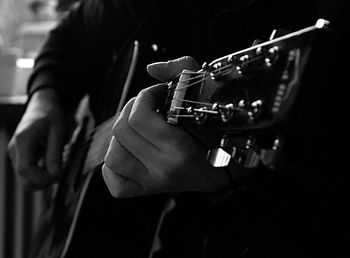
<point>164,71</point>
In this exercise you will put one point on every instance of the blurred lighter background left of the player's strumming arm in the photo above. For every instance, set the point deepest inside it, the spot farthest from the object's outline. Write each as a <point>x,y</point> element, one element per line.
<point>24,25</point>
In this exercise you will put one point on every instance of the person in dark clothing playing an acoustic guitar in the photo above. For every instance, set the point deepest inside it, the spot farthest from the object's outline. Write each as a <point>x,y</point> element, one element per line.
<point>173,198</point>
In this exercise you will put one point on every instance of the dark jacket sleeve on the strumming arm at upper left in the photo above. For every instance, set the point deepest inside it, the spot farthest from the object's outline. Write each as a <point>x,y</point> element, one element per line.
<point>78,51</point>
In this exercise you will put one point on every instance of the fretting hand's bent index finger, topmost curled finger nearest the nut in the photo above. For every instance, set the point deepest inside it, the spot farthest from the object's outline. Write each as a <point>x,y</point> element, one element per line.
<point>152,125</point>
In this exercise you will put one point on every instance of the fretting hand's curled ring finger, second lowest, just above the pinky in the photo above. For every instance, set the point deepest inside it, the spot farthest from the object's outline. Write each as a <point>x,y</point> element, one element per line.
<point>123,163</point>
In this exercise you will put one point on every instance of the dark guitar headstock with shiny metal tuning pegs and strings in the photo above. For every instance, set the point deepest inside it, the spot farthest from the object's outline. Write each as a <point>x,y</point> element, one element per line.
<point>246,96</point>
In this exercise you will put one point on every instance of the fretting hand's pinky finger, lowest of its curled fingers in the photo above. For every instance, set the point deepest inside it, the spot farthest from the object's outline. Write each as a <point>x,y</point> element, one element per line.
<point>119,186</point>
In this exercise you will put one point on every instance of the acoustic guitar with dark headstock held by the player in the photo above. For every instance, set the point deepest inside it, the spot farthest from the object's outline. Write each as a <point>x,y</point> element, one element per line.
<point>244,98</point>
